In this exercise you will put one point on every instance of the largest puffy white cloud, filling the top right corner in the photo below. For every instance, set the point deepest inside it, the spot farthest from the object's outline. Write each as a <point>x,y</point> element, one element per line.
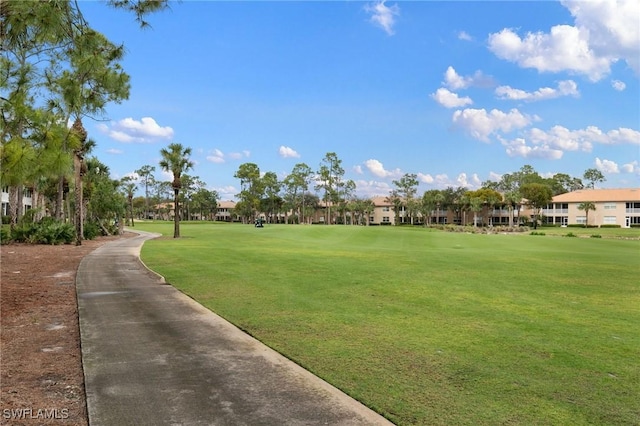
<point>606,31</point>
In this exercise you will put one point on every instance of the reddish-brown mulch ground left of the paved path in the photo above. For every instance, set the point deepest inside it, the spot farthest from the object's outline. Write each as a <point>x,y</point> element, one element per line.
<point>41,377</point>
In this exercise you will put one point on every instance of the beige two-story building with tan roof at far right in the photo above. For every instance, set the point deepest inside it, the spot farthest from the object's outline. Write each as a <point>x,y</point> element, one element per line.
<point>612,207</point>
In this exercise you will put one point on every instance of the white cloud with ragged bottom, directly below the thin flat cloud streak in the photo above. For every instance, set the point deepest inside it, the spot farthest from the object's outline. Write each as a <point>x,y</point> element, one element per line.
<point>480,124</point>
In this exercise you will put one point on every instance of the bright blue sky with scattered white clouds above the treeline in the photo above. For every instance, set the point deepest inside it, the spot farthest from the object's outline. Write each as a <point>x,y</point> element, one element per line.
<point>455,92</point>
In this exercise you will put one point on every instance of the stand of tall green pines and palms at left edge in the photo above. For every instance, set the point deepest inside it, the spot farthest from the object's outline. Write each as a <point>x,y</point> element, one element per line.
<point>55,70</point>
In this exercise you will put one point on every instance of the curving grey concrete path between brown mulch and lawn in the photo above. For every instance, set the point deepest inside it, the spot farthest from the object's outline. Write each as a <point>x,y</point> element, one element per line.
<point>153,356</point>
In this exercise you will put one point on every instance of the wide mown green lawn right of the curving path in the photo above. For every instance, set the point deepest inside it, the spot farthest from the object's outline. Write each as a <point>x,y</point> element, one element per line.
<point>429,327</point>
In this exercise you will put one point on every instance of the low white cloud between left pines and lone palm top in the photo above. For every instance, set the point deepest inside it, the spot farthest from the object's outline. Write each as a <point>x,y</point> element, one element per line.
<point>129,130</point>
